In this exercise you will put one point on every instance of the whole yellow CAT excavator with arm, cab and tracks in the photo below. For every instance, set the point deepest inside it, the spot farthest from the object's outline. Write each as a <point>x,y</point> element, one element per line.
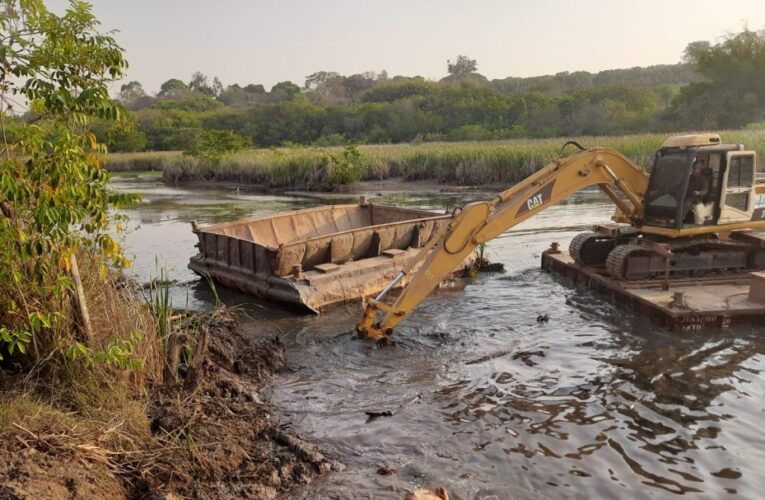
<point>698,206</point>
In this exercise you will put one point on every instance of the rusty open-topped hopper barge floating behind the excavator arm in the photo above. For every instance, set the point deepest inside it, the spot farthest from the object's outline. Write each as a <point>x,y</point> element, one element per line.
<point>318,257</point>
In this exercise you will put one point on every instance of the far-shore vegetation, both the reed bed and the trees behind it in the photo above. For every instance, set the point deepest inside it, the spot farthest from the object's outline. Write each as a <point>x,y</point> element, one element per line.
<point>514,124</point>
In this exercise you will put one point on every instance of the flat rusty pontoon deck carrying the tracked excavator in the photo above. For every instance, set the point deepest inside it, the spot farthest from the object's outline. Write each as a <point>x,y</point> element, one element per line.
<point>680,303</point>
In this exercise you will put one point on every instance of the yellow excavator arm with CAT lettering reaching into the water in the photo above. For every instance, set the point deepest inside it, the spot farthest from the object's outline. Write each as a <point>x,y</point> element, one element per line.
<point>482,221</point>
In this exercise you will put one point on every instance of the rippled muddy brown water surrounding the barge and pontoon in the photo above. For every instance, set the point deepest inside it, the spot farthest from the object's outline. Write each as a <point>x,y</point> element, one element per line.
<point>490,404</point>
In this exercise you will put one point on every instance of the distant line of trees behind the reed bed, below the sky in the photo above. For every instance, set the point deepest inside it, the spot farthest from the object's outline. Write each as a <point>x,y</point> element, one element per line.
<point>717,86</point>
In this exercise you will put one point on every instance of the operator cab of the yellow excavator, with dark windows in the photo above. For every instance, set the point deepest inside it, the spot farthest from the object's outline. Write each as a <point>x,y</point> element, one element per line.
<point>726,172</point>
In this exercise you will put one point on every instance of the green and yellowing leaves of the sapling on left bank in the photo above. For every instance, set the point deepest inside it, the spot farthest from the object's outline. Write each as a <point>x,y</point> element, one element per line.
<point>53,191</point>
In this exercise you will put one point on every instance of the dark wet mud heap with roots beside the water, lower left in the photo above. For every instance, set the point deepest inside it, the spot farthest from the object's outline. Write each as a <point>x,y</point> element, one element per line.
<point>230,444</point>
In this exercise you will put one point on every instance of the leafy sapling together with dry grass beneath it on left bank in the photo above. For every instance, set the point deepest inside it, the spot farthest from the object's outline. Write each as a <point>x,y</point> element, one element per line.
<point>64,370</point>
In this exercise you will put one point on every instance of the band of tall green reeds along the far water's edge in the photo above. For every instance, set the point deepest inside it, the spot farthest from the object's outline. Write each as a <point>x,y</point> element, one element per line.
<point>467,163</point>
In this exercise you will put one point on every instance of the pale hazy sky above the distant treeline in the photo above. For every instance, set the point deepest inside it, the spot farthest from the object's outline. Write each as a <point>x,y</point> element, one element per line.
<point>257,41</point>
